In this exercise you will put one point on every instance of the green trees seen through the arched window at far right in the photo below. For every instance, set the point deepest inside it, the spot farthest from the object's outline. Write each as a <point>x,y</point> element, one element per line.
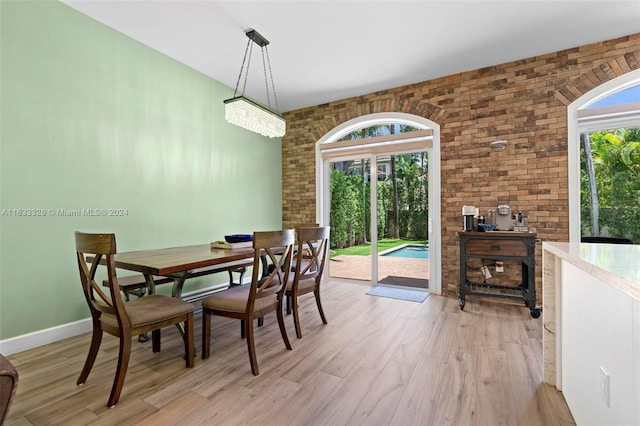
<point>610,183</point>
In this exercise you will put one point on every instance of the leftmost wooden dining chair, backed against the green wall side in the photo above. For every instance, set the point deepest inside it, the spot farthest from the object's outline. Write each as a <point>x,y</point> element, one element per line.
<point>111,314</point>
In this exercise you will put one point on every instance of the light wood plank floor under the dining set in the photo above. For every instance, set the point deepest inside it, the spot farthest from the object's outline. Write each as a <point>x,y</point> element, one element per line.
<point>379,361</point>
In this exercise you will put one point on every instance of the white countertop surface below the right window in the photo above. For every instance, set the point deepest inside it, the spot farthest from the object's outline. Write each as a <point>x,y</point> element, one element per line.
<point>616,264</point>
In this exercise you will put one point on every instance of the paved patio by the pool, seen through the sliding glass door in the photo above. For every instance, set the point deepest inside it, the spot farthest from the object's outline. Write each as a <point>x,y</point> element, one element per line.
<point>391,270</point>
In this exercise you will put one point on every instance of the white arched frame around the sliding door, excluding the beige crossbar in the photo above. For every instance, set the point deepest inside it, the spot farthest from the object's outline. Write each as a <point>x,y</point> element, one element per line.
<point>434,221</point>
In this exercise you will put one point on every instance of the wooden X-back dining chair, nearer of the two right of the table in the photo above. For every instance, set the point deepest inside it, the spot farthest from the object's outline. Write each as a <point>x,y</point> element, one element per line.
<point>264,295</point>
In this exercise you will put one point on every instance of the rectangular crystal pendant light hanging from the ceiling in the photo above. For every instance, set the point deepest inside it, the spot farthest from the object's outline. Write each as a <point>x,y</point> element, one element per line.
<point>247,113</point>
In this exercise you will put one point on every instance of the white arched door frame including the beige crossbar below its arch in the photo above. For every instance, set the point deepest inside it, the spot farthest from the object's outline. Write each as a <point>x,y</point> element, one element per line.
<point>428,140</point>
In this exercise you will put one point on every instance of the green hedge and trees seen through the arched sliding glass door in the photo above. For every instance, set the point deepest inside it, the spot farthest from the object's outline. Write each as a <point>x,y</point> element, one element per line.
<point>402,195</point>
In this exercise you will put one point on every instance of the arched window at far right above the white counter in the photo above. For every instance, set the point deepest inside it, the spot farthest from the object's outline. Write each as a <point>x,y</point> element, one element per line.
<point>609,138</point>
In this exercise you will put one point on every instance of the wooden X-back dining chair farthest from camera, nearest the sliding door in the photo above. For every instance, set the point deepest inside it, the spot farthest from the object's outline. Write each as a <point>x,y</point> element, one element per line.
<point>311,253</point>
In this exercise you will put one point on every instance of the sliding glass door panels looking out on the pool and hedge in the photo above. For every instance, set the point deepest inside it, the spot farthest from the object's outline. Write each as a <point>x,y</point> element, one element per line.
<point>379,219</point>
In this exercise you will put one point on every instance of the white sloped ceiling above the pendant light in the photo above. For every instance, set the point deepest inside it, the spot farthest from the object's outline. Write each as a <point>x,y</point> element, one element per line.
<point>323,51</point>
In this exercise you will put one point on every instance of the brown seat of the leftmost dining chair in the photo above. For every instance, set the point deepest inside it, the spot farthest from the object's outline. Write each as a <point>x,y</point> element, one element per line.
<point>150,309</point>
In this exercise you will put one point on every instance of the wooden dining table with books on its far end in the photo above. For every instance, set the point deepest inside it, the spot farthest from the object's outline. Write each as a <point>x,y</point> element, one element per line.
<point>181,263</point>
